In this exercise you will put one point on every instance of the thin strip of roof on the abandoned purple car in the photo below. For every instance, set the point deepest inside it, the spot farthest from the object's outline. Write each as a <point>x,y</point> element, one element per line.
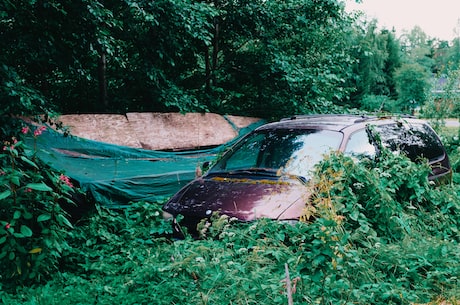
<point>335,122</point>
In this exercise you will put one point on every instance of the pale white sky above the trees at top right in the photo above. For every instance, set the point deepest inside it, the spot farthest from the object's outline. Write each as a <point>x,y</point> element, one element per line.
<point>437,18</point>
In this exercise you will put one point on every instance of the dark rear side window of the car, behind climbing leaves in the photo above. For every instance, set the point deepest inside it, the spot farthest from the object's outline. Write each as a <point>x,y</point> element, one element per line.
<point>415,140</point>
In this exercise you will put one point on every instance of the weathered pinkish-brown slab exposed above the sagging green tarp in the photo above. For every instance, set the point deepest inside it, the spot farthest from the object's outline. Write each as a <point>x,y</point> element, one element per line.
<point>157,131</point>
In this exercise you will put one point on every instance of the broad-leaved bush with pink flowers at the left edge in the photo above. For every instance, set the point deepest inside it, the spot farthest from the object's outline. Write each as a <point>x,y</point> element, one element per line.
<point>33,226</point>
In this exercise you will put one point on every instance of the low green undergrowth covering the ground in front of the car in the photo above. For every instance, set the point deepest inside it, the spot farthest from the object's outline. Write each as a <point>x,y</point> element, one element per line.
<point>373,233</point>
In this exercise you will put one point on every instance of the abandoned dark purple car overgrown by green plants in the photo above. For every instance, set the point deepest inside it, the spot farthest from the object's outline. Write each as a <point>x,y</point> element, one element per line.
<point>265,174</point>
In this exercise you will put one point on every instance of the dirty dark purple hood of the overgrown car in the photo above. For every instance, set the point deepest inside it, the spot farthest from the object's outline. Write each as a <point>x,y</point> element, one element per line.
<point>243,198</point>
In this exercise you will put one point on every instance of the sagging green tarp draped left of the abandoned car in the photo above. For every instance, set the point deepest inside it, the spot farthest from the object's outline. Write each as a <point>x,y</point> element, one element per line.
<point>117,175</point>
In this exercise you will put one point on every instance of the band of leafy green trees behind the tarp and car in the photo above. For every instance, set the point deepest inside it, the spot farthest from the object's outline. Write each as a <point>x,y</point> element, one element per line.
<point>258,58</point>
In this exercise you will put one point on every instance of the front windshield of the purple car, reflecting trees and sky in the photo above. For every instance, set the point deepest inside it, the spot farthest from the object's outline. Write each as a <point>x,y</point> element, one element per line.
<point>279,152</point>
